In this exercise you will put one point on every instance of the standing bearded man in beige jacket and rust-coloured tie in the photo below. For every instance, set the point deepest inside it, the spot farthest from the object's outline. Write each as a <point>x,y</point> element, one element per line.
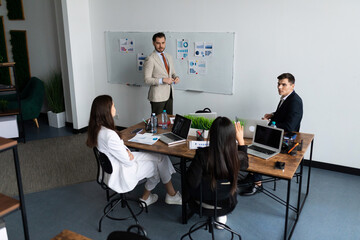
<point>160,74</point>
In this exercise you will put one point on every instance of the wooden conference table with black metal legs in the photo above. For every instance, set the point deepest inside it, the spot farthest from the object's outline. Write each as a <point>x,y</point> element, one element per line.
<point>256,165</point>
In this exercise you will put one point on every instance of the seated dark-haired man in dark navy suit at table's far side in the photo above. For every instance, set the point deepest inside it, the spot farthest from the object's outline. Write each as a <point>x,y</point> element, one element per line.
<point>287,116</point>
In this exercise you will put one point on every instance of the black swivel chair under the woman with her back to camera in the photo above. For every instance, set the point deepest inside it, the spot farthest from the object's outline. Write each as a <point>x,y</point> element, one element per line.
<point>207,195</point>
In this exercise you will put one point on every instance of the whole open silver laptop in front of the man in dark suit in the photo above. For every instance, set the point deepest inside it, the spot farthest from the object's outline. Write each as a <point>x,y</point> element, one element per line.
<point>267,142</point>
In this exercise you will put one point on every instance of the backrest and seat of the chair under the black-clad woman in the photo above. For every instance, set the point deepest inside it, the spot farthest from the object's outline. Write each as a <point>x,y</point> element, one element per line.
<point>206,201</point>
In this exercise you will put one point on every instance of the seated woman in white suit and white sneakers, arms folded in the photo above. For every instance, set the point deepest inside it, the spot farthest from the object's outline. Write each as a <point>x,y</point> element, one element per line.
<point>128,167</point>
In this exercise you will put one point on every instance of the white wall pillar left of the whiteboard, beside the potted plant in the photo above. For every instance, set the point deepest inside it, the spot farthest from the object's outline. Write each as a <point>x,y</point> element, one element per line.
<point>79,59</point>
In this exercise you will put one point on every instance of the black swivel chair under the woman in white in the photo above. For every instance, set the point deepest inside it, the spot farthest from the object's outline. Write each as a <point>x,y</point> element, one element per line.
<point>104,169</point>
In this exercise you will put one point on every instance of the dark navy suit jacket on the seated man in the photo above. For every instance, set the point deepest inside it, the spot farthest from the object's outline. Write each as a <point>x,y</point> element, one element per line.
<point>289,115</point>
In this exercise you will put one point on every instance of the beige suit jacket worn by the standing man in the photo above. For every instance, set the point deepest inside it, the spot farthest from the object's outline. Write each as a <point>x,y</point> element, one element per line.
<point>154,69</point>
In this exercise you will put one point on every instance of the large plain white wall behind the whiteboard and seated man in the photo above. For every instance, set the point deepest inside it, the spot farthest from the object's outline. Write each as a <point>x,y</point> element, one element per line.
<point>317,41</point>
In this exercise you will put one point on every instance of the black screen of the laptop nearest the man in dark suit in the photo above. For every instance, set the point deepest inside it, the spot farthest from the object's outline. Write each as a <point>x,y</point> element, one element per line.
<point>268,136</point>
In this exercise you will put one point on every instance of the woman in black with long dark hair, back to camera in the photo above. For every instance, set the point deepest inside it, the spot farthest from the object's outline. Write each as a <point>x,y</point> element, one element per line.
<point>222,160</point>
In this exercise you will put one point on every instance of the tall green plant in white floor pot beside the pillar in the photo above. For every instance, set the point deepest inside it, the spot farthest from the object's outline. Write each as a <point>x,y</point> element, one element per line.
<point>55,97</point>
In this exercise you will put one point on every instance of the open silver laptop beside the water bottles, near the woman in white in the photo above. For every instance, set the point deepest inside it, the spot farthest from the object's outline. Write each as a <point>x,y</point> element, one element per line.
<point>179,132</point>
